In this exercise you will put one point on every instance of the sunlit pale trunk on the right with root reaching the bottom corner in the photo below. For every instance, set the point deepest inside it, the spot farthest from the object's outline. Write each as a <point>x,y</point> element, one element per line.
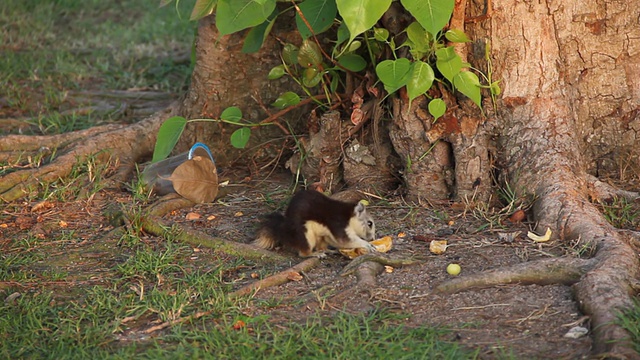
<point>567,81</point>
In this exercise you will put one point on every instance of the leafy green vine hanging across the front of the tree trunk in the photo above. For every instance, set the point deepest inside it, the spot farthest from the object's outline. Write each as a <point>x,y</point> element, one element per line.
<point>357,48</point>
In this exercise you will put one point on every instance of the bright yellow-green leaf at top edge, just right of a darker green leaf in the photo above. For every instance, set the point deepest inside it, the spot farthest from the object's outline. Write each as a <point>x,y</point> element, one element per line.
<point>361,15</point>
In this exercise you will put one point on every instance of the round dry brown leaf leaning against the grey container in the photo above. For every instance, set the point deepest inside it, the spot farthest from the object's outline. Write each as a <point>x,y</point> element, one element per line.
<point>196,180</point>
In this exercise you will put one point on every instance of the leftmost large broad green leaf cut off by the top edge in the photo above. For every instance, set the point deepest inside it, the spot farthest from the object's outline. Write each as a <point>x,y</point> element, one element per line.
<point>236,15</point>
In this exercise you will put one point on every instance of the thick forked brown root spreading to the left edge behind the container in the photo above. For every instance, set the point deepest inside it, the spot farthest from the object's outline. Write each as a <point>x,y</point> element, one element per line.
<point>125,144</point>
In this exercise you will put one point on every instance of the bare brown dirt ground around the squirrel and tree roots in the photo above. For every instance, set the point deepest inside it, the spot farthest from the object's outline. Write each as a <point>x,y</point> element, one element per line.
<point>512,320</point>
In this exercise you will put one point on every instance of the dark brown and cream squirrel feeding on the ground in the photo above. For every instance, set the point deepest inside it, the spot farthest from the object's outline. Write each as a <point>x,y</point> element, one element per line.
<point>314,221</point>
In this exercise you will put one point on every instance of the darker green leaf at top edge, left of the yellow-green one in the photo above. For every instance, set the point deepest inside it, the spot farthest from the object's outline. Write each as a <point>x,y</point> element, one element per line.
<point>319,14</point>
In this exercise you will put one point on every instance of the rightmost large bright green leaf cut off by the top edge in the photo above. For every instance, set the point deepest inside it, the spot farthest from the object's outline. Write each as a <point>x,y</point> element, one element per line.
<point>433,15</point>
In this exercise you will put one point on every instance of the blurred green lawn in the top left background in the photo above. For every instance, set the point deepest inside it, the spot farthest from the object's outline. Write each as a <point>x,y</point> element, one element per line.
<point>53,47</point>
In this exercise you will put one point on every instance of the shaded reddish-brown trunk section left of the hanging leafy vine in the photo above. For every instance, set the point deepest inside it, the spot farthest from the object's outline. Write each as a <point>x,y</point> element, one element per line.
<point>223,77</point>
